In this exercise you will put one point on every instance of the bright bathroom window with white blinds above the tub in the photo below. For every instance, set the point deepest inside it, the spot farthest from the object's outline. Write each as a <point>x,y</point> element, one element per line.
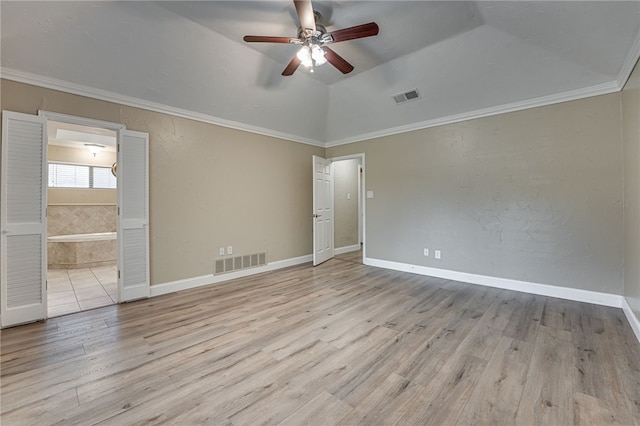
<point>75,176</point>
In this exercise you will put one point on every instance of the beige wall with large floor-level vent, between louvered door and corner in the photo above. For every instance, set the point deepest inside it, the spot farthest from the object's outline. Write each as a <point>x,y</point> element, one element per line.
<point>210,186</point>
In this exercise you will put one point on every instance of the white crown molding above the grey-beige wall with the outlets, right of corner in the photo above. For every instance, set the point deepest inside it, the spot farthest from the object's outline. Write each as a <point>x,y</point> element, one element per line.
<point>599,89</point>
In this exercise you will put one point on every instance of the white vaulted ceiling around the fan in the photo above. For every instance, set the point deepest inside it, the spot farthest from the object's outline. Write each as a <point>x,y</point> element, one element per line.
<point>465,58</point>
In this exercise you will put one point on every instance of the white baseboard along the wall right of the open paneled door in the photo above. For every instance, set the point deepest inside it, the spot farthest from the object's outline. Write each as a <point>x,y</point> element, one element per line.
<point>605,299</point>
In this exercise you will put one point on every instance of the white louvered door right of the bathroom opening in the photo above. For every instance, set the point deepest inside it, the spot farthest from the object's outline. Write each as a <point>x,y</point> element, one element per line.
<point>133,215</point>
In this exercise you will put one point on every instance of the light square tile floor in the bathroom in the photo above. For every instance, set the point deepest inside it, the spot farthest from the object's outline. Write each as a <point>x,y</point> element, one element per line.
<point>75,290</point>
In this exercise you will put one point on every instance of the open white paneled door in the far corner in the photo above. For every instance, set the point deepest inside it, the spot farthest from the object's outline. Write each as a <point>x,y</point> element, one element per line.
<point>322,210</point>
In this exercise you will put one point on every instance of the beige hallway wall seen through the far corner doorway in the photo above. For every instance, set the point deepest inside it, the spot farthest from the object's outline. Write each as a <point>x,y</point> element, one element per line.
<point>346,209</point>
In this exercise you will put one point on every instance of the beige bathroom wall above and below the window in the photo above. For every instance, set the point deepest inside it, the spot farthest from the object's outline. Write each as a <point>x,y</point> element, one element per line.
<point>80,195</point>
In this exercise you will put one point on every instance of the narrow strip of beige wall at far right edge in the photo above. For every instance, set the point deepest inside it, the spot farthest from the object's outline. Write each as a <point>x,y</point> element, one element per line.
<point>631,137</point>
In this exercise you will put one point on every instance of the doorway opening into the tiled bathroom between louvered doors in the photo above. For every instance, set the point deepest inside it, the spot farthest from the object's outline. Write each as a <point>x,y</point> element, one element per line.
<point>81,217</point>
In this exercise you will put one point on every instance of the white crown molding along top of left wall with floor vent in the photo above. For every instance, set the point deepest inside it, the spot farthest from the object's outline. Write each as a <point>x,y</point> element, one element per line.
<point>104,95</point>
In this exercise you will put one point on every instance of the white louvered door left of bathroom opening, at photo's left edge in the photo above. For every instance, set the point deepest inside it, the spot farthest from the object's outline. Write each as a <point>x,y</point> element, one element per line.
<point>22,219</point>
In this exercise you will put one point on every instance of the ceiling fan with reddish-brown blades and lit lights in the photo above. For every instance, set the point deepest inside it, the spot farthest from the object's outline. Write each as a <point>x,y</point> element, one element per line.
<point>314,38</point>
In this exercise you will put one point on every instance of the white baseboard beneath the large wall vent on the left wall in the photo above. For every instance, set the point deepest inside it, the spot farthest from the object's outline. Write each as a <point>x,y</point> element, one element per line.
<point>173,286</point>
